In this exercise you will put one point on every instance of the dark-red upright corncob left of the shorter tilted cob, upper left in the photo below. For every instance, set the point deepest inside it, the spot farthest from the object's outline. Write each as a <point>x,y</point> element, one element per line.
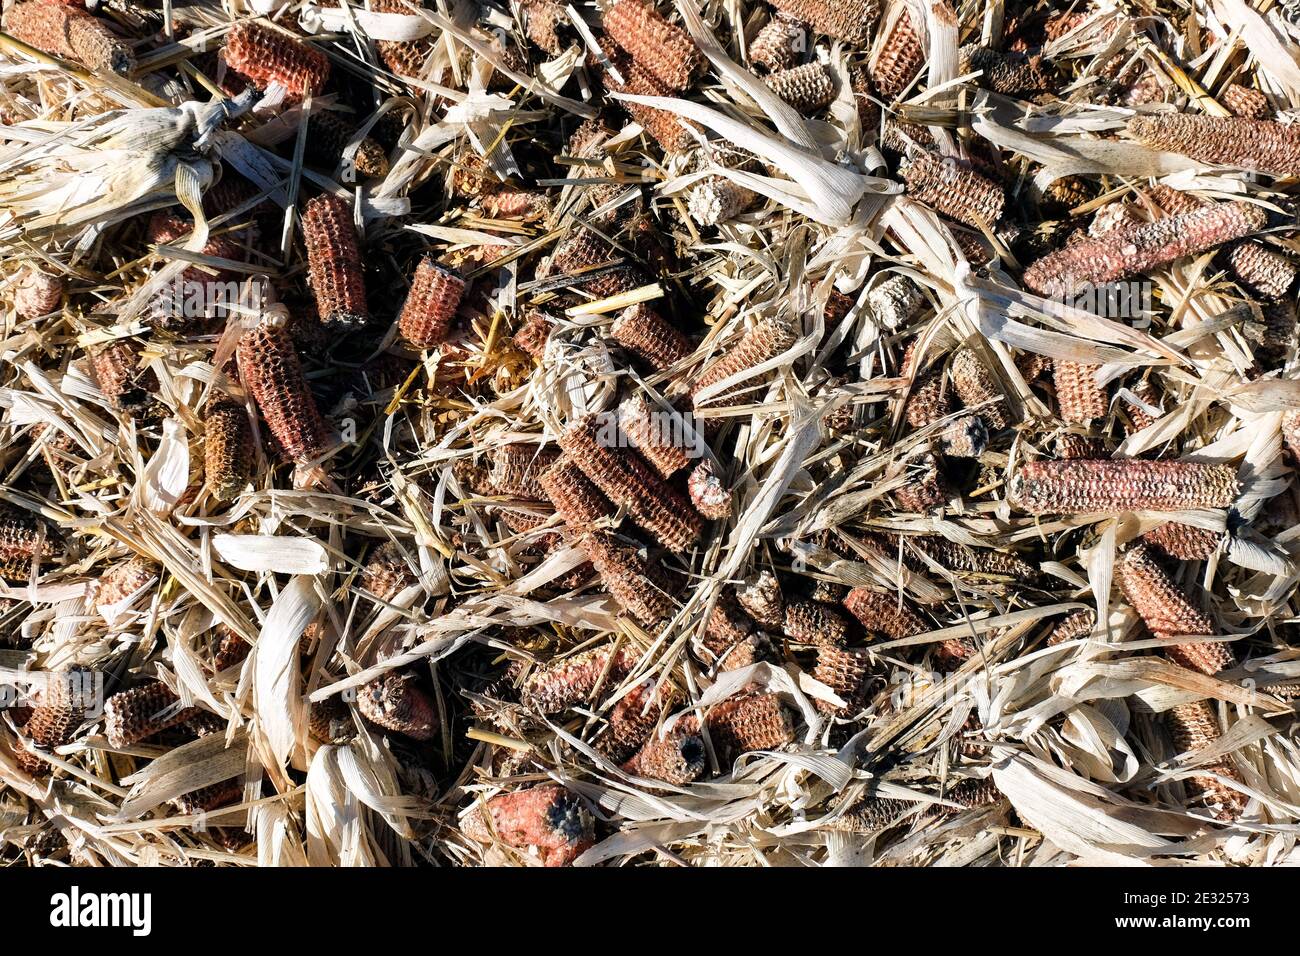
<point>335,262</point>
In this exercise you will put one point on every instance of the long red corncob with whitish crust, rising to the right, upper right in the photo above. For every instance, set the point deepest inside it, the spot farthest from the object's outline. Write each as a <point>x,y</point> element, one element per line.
<point>1142,248</point>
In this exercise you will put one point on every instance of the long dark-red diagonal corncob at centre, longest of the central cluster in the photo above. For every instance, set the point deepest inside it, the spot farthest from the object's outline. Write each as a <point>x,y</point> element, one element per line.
<point>629,482</point>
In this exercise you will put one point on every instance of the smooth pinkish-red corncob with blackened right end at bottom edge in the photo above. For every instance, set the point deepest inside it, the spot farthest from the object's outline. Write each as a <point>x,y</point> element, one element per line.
<point>548,817</point>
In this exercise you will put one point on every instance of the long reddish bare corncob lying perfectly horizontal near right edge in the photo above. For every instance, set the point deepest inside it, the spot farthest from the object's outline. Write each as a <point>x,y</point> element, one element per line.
<point>1119,486</point>
